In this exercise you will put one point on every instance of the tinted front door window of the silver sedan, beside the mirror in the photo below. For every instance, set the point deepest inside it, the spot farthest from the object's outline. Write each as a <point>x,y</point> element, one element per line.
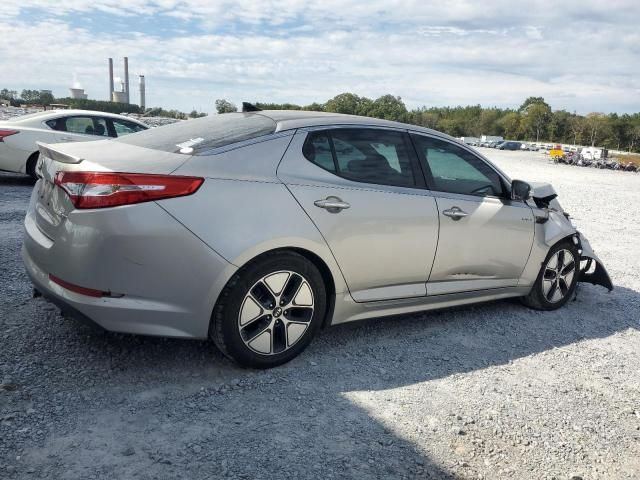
<point>453,169</point>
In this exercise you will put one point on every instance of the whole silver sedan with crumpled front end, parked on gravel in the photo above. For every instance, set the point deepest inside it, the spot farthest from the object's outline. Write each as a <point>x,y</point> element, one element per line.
<point>258,229</point>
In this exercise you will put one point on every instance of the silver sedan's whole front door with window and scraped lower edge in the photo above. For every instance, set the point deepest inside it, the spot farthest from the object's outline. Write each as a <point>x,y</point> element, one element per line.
<point>485,238</point>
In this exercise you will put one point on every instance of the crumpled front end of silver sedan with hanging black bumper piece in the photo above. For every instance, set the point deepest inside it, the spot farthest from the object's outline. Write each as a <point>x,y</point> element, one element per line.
<point>557,226</point>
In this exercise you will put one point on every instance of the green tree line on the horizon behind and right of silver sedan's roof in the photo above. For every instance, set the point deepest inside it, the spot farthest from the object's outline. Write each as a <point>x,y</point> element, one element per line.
<point>534,120</point>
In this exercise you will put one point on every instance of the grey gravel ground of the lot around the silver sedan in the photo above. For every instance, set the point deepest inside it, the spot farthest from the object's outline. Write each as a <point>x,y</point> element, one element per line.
<point>490,391</point>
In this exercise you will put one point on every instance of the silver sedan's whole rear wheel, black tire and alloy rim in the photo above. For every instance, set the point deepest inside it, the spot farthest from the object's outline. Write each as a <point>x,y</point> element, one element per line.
<point>269,311</point>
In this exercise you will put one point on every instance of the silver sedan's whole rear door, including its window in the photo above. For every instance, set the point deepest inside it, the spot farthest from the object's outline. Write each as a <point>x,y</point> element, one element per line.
<point>363,190</point>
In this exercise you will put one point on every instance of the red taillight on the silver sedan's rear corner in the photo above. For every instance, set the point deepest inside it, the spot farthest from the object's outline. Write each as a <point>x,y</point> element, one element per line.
<point>111,189</point>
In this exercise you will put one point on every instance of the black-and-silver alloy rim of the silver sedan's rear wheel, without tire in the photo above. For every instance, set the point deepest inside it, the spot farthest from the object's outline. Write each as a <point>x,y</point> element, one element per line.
<point>276,312</point>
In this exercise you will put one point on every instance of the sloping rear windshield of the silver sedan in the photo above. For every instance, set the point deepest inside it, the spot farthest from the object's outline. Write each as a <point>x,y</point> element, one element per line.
<point>197,136</point>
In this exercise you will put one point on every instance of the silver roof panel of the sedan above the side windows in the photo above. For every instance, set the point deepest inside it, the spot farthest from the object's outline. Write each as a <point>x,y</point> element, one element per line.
<point>292,119</point>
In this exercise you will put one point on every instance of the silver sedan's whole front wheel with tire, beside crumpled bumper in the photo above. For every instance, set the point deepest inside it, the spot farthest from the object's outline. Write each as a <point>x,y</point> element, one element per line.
<point>557,280</point>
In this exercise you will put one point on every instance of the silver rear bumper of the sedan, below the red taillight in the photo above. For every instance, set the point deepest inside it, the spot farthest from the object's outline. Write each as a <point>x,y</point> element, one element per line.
<point>166,281</point>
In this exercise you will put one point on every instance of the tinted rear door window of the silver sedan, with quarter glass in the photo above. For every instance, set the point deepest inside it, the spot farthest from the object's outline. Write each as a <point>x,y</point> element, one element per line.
<point>363,155</point>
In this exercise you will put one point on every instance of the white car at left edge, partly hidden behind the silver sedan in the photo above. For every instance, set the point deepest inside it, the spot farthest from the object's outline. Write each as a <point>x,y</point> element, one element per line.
<point>18,136</point>
